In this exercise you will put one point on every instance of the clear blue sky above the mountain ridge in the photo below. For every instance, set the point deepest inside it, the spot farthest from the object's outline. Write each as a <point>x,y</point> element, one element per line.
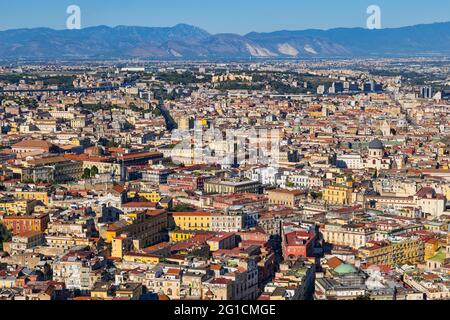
<point>237,16</point>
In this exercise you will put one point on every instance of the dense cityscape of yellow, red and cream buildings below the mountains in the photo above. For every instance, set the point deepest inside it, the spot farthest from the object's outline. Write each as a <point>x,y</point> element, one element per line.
<point>254,180</point>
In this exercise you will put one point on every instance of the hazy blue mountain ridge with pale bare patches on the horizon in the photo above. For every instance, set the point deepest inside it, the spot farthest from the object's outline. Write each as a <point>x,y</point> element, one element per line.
<point>190,42</point>
